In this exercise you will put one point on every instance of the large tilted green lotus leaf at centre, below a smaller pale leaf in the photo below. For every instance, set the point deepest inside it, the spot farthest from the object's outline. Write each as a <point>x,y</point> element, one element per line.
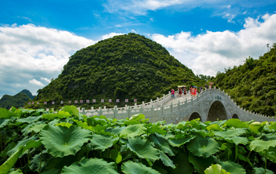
<point>142,148</point>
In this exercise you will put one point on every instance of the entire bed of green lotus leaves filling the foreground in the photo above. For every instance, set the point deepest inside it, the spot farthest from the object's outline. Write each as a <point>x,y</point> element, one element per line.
<point>36,141</point>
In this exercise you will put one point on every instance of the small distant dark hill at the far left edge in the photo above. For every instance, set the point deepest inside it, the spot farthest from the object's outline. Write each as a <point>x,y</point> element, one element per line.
<point>17,100</point>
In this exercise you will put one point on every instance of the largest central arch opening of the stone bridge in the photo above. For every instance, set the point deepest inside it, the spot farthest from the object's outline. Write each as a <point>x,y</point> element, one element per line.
<point>217,111</point>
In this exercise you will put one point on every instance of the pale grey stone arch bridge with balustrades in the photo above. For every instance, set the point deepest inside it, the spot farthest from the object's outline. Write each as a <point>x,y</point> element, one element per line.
<point>209,105</point>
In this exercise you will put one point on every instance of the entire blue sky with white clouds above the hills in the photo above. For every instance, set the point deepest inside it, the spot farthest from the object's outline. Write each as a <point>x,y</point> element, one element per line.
<point>37,37</point>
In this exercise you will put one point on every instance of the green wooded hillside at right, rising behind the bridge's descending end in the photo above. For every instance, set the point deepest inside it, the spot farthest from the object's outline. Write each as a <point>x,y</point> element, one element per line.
<point>253,84</point>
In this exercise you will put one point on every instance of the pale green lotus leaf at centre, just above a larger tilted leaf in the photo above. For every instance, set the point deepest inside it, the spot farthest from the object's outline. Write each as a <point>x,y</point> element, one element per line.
<point>133,130</point>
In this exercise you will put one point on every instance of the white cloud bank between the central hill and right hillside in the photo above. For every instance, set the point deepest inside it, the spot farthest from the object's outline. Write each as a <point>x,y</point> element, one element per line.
<point>213,51</point>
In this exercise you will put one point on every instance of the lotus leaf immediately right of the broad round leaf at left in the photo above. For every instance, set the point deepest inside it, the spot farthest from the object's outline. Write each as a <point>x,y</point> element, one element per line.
<point>102,142</point>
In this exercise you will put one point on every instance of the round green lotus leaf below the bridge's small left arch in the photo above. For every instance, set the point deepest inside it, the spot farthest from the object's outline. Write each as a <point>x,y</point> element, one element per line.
<point>203,147</point>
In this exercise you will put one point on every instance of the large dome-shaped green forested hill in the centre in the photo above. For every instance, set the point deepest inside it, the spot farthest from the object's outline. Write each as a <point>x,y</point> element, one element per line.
<point>127,66</point>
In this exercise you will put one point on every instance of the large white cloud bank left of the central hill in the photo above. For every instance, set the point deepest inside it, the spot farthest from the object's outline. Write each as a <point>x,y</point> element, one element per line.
<point>29,52</point>
